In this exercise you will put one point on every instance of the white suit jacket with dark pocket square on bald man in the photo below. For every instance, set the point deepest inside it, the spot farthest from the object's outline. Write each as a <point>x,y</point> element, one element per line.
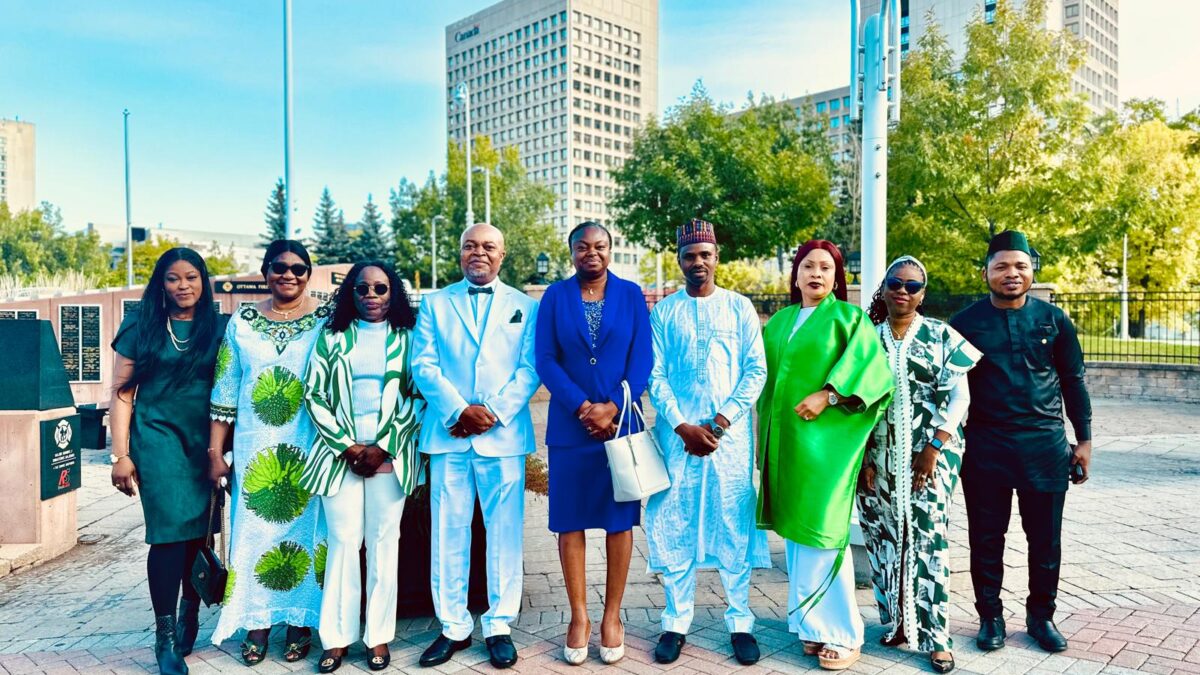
<point>455,367</point>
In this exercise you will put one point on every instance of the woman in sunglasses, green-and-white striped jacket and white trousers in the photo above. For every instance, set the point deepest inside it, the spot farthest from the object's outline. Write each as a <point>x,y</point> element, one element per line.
<point>368,413</point>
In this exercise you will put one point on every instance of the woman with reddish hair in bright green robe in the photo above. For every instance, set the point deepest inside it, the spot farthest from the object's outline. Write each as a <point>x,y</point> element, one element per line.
<point>827,385</point>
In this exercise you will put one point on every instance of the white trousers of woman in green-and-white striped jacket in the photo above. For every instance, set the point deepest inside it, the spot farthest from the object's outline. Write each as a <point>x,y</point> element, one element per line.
<point>363,510</point>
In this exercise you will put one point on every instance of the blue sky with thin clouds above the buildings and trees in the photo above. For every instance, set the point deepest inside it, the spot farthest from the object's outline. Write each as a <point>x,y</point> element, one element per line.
<point>203,85</point>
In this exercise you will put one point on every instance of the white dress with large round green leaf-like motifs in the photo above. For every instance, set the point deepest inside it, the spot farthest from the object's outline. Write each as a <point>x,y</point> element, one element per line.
<point>277,547</point>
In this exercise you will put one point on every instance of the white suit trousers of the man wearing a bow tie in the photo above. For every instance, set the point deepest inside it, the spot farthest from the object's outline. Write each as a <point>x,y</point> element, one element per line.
<point>455,479</point>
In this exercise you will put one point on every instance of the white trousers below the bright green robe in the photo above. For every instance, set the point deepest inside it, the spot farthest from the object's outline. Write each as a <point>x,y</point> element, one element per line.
<point>836,620</point>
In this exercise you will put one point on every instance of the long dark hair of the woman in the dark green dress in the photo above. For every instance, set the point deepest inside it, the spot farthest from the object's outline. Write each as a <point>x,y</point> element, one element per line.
<point>154,314</point>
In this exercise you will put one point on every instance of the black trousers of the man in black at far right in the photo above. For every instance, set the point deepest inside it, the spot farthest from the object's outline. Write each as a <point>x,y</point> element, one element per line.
<point>988,515</point>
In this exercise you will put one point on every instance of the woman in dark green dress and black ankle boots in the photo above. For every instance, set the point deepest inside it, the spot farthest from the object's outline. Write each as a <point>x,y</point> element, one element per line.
<point>163,377</point>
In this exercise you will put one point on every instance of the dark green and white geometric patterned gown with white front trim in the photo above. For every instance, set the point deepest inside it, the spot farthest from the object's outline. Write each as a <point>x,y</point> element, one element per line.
<point>907,531</point>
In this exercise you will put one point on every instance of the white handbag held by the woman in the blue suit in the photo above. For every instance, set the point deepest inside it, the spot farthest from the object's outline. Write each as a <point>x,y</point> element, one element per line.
<point>635,459</point>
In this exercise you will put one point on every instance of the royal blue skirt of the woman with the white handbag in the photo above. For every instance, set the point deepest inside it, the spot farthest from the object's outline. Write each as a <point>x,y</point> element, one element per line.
<point>581,492</point>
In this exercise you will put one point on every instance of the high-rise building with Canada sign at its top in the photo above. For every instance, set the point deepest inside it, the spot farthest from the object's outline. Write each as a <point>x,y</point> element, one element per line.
<point>566,82</point>
